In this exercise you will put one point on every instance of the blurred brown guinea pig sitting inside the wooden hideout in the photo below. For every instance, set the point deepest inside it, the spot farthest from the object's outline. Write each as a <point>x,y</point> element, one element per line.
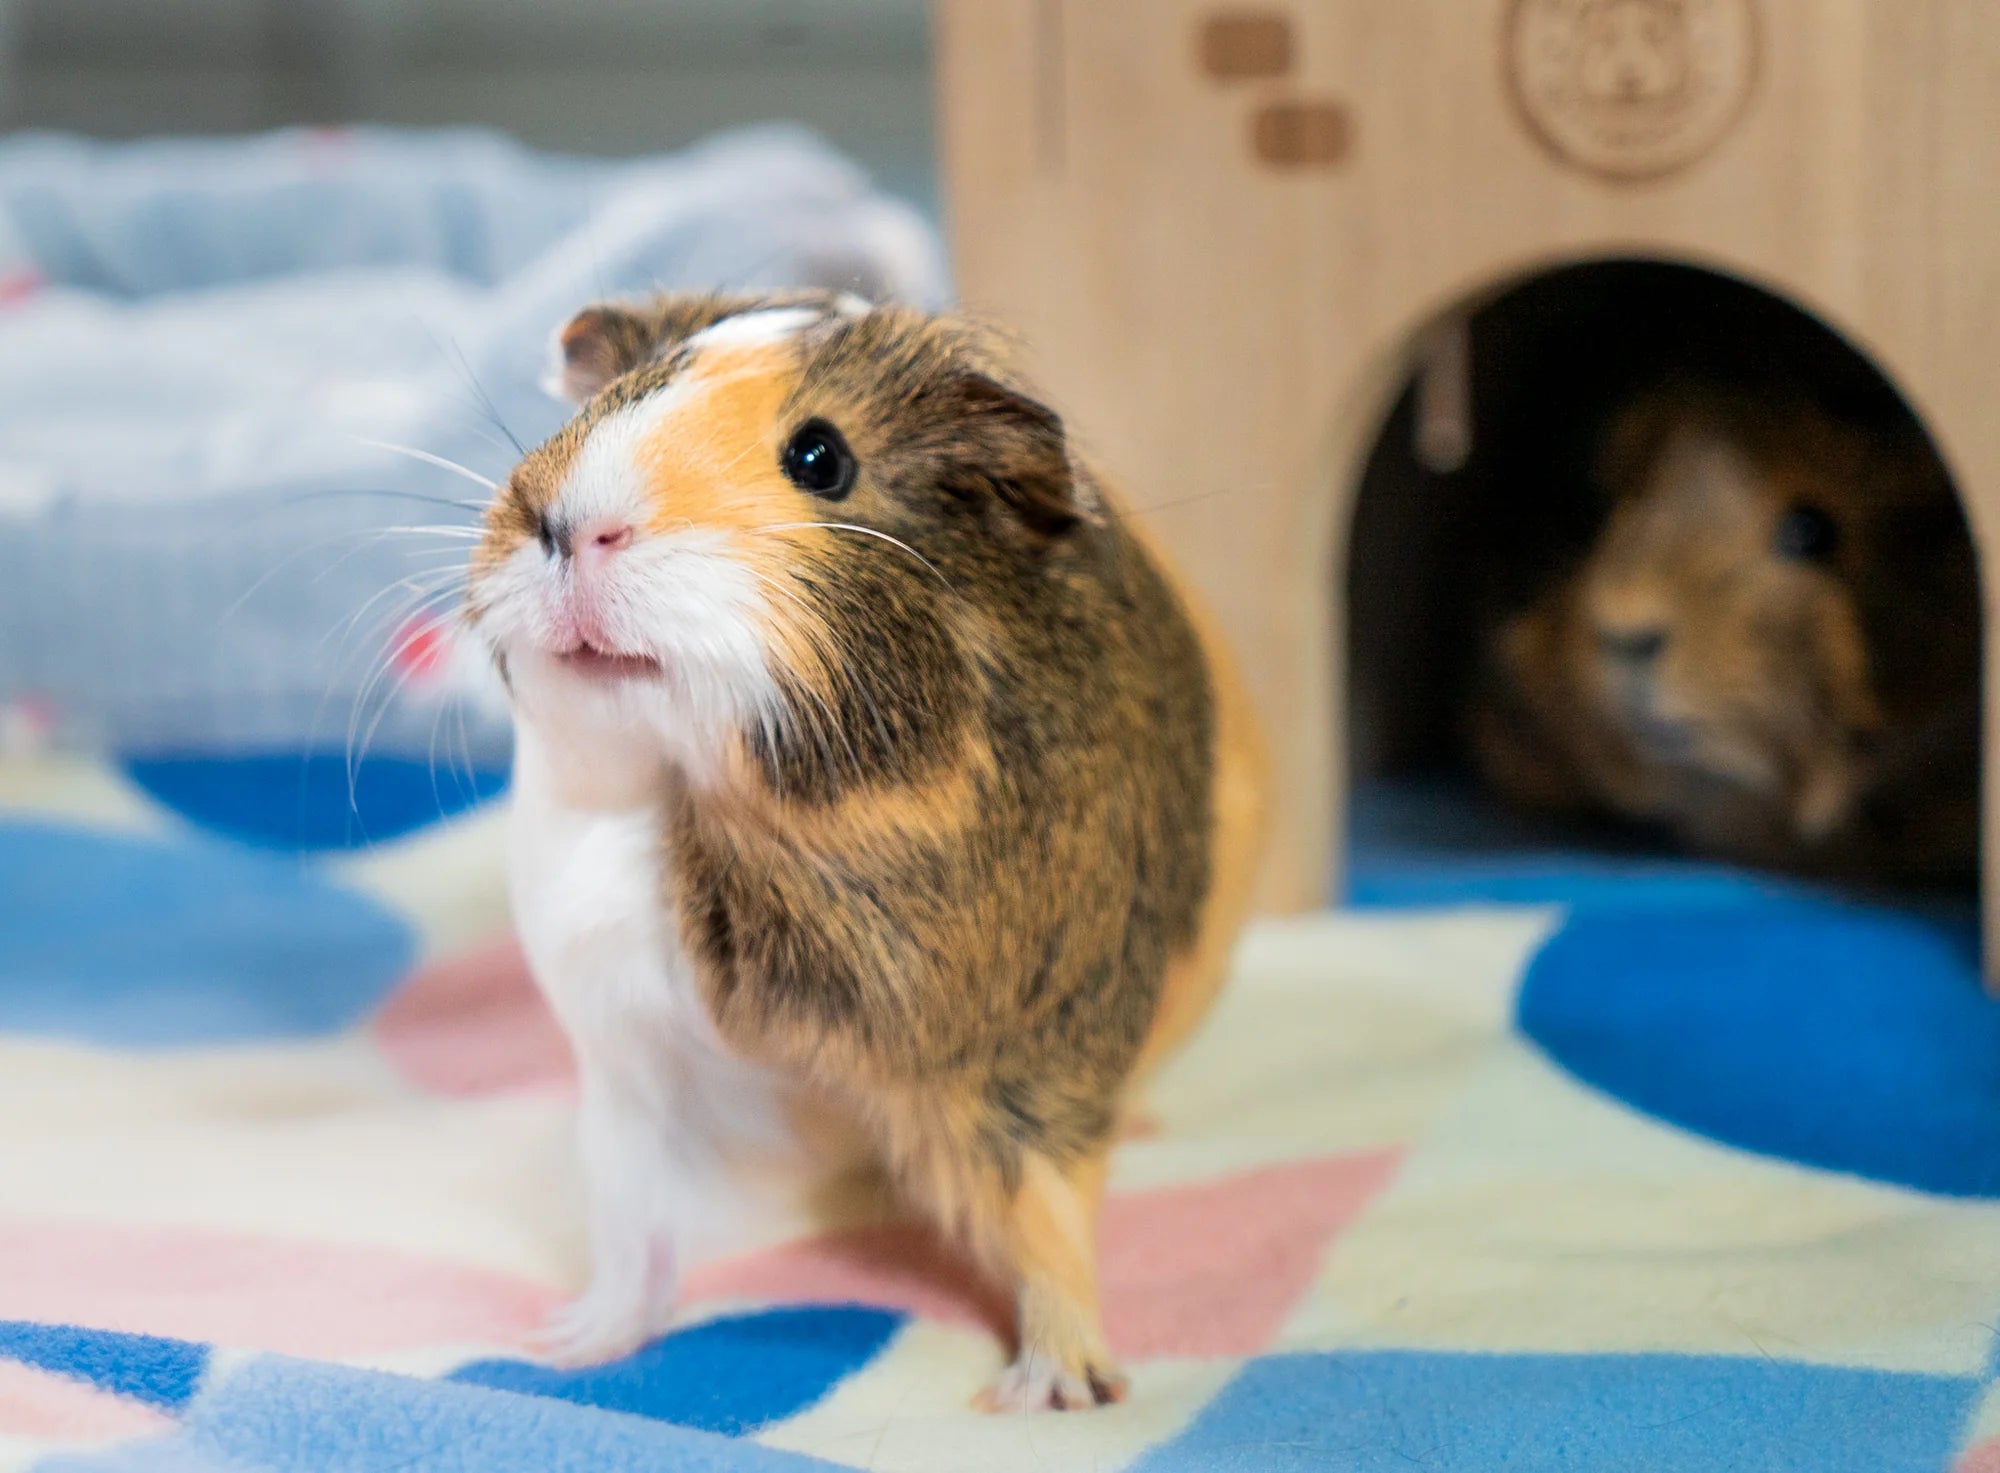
<point>1771,649</point>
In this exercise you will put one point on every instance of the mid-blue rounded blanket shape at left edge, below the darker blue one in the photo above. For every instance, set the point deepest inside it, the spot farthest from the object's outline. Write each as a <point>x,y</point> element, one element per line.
<point>165,944</point>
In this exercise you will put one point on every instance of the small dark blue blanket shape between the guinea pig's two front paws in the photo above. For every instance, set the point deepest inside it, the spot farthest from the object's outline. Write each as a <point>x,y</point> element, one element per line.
<point>727,1376</point>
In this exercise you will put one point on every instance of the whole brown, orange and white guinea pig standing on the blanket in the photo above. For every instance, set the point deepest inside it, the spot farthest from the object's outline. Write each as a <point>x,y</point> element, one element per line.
<point>869,768</point>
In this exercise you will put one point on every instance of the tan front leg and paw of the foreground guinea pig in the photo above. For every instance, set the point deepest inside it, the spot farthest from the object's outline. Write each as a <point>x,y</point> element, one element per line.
<point>1047,1234</point>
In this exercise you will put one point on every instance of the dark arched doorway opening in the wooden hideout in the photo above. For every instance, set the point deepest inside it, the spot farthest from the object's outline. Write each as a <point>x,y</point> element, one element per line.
<point>1489,495</point>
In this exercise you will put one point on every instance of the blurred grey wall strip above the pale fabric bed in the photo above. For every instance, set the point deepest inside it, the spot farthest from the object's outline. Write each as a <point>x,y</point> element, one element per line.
<point>601,77</point>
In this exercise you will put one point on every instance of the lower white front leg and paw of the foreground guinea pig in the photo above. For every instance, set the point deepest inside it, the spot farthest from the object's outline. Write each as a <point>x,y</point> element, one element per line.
<point>629,1184</point>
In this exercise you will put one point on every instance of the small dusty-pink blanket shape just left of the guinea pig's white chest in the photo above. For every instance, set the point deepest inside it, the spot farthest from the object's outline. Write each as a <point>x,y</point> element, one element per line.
<point>475,1026</point>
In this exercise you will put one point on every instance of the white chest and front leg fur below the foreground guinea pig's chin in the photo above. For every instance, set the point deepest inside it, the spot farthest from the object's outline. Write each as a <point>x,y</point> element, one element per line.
<point>667,1120</point>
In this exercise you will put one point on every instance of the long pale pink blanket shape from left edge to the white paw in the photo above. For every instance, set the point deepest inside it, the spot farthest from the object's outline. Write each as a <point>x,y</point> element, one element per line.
<point>255,1292</point>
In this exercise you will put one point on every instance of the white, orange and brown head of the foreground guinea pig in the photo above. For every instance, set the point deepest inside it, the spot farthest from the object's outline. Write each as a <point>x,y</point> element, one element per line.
<point>773,525</point>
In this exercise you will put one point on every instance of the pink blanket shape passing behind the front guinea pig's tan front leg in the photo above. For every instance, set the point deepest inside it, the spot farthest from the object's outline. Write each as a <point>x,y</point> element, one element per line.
<point>1203,1270</point>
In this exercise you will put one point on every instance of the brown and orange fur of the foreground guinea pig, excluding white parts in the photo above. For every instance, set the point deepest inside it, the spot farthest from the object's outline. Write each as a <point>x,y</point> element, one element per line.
<point>993,860</point>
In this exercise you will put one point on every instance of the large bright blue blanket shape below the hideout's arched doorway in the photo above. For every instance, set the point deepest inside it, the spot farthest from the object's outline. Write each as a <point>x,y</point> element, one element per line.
<point>1837,1036</point>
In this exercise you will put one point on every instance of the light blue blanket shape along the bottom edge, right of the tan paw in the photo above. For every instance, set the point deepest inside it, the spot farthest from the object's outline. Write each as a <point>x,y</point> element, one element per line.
<point>1391,1412</point>
